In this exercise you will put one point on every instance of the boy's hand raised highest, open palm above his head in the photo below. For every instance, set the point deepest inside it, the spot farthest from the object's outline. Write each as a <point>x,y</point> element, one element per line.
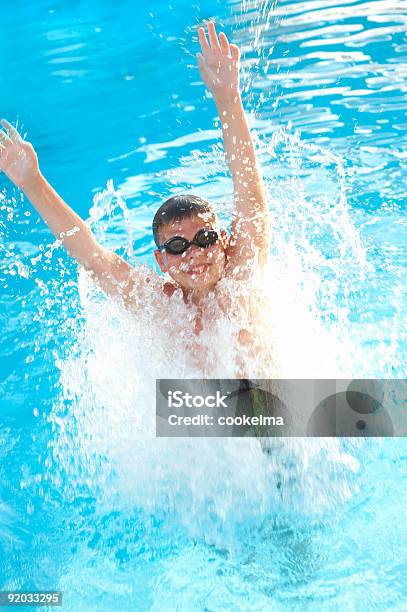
<point>219,64</point>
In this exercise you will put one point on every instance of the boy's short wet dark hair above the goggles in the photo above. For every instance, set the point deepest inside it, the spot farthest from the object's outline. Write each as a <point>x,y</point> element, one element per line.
<point>178,208</point>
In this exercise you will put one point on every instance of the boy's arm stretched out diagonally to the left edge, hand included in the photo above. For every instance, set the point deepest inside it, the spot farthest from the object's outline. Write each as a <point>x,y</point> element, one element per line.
<point>19,162</point>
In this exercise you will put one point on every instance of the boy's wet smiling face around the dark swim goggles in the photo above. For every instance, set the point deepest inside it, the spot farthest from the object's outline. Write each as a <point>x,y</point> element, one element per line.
<point>197,268</point>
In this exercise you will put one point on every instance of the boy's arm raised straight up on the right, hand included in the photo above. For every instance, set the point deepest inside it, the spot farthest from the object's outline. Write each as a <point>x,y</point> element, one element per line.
<point>219,67</point>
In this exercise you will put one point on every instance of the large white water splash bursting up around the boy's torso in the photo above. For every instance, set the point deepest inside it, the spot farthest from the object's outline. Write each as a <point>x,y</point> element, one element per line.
<point>106,447</point>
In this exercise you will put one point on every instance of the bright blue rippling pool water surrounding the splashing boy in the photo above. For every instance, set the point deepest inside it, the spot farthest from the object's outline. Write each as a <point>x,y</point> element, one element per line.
<point>109,91</point>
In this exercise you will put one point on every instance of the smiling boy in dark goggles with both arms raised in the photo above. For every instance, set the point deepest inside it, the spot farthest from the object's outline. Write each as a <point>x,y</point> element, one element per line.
<point>189,246</point>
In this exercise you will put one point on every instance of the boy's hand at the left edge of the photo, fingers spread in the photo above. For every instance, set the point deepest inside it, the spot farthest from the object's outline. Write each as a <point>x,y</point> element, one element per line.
<point>18,159</point>
